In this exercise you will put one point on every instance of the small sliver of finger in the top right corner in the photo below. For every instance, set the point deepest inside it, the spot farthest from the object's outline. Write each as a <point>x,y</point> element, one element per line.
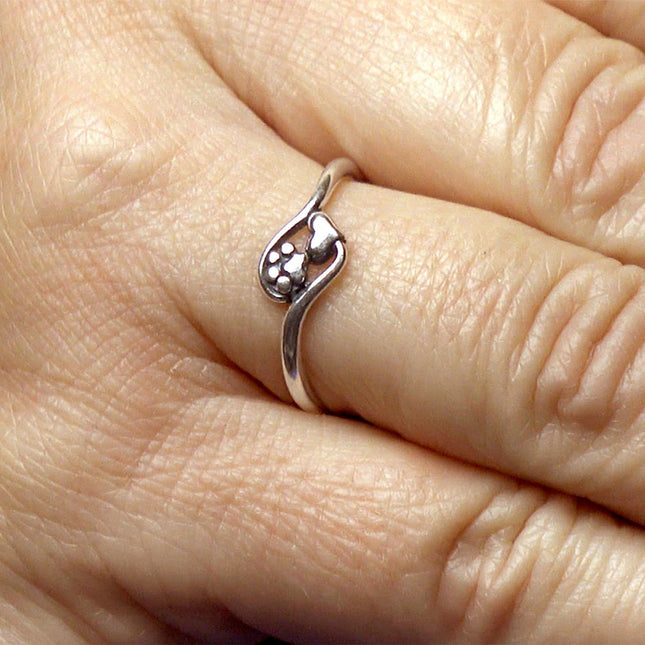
<point>624,20</point>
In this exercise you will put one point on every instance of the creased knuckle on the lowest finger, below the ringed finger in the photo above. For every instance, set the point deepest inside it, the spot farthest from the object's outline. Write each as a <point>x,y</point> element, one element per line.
<point>489,589</point>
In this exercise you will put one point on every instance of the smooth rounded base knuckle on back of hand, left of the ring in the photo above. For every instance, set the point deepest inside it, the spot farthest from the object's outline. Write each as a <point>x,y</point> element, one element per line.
<point>81,153</point>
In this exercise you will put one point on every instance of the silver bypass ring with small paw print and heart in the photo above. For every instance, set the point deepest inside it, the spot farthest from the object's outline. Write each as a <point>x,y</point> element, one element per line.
<point>298,277</point>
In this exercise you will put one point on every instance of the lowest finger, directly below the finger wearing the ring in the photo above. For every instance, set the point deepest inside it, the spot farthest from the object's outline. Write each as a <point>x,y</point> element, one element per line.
<point>366,539</point>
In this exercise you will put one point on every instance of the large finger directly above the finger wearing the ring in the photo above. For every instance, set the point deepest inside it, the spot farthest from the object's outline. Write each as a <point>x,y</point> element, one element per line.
<point>514,107</point>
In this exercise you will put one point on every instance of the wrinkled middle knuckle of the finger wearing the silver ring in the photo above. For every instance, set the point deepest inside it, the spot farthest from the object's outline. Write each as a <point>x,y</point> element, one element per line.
<point>590,329</point>
